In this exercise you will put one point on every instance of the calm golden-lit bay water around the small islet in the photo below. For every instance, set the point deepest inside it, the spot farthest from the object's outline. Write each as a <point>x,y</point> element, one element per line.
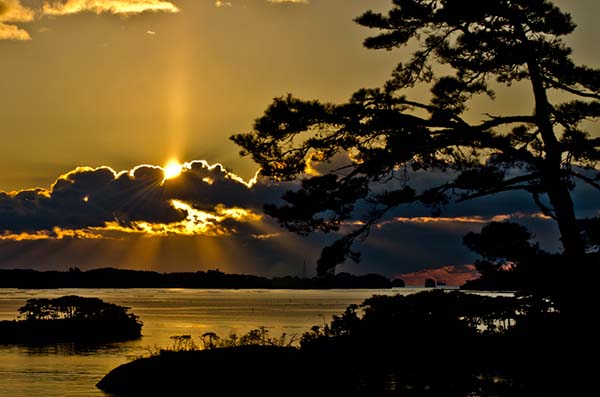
<point>70,370</point>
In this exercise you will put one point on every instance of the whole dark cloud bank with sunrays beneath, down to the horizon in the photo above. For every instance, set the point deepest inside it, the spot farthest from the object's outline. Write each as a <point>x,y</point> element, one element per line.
<point>209,218</point>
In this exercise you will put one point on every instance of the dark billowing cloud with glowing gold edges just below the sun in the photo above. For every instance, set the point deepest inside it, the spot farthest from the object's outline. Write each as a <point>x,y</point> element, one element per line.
<point>203,200</point>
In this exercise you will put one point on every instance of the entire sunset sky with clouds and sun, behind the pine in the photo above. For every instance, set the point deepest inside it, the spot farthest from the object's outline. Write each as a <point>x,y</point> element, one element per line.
<point>98,96</point>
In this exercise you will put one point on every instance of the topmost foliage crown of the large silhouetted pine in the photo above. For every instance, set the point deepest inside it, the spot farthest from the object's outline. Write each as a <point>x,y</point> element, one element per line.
<point>480,40</point>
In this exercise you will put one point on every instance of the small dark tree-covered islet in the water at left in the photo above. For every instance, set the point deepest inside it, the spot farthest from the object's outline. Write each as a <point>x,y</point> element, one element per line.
<point>71,319</point>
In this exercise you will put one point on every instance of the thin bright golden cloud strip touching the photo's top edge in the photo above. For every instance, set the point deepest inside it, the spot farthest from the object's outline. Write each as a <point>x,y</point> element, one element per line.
<point>65,7</point>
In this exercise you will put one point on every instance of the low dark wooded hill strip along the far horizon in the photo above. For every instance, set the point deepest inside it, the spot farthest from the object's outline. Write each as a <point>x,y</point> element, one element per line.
<point>120,278</point>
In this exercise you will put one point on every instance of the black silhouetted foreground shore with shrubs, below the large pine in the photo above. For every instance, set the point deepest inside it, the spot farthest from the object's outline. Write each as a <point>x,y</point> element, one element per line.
<point>429,344</point>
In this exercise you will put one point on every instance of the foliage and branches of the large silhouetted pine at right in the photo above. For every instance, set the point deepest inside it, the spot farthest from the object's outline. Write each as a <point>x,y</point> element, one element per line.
<point>543,152</point>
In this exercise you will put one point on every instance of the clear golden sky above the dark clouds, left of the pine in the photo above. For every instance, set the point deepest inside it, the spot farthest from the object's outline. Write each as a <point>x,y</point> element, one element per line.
<point>102,83</point>
